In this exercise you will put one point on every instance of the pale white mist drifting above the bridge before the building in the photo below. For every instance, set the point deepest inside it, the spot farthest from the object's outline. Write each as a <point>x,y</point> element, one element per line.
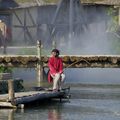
<point>85,33</point>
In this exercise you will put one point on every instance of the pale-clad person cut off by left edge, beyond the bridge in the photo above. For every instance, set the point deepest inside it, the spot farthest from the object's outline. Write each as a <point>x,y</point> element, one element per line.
<point>3,35</point>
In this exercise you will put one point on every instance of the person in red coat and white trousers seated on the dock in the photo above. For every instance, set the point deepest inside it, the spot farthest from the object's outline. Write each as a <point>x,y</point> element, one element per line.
<point>56,74</point>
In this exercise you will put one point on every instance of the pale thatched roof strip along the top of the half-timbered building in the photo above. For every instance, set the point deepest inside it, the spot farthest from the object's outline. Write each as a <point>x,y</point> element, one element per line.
<point>27,3</point>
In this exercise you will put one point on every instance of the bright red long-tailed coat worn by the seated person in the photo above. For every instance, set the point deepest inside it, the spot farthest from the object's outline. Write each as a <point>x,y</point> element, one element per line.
<point>55,65</point>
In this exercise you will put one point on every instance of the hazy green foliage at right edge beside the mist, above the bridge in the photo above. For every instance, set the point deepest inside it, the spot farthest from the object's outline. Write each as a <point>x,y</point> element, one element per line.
<point>113,30</point>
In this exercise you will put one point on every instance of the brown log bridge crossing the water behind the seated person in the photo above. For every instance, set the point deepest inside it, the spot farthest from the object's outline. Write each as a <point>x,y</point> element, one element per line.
<point>72,61</point>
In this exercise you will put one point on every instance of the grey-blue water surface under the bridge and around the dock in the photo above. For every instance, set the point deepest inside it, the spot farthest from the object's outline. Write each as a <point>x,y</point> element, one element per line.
<point>95,95</point>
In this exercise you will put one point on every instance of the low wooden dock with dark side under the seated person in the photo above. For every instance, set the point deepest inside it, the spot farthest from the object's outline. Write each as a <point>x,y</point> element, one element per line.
<point>30,96</point>
